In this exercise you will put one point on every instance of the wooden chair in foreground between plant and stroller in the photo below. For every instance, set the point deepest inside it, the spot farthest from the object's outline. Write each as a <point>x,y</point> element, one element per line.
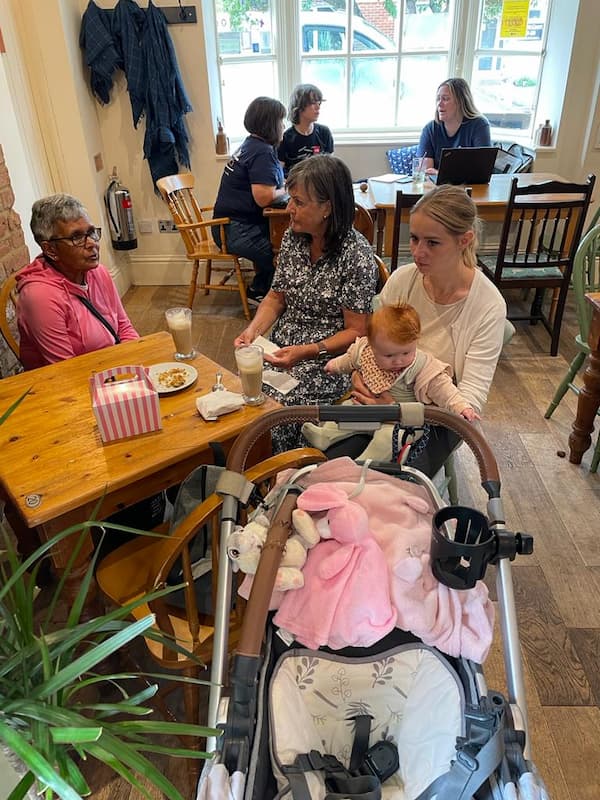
<point>145,563</point>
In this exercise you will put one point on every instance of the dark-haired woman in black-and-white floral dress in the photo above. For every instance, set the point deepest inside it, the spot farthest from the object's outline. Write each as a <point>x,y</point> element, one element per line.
<point>321,294</point>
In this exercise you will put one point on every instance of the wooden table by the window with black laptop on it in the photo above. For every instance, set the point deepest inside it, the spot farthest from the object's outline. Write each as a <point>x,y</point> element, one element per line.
<point>379,198</point>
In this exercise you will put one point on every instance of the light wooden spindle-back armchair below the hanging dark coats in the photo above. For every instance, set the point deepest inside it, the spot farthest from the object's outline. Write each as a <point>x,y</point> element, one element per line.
<point>178,193</point>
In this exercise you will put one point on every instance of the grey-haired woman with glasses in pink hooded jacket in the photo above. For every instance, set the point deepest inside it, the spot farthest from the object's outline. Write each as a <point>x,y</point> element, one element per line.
<point>68,303</point>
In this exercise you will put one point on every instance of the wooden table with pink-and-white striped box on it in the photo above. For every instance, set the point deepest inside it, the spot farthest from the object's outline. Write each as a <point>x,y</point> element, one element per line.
<point>56,471</point>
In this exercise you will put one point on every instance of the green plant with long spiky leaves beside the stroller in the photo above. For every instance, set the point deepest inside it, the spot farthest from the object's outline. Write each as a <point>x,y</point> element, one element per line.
<point>49,670</point>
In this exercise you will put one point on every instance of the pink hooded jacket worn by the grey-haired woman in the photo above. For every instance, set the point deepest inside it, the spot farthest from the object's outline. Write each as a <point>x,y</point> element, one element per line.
<point>55,325</point>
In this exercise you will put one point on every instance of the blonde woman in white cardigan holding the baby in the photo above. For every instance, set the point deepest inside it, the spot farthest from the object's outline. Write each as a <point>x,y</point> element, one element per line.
<point>462,313</point>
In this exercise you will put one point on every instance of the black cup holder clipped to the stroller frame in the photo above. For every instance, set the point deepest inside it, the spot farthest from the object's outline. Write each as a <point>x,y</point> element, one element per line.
<point>463,544</point>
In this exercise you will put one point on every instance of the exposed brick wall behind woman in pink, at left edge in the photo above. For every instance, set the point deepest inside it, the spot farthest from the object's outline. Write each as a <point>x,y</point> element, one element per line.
<point>13,255</point>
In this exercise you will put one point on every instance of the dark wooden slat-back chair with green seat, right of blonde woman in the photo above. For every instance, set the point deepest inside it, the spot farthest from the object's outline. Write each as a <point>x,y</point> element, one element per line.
<point>540,235</point>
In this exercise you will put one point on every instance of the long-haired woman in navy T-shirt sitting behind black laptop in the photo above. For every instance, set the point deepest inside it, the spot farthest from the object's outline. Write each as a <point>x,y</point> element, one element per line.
<point>457,123</point>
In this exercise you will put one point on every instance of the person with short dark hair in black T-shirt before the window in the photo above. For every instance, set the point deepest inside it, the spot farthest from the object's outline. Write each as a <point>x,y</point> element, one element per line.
<point>306,137</point>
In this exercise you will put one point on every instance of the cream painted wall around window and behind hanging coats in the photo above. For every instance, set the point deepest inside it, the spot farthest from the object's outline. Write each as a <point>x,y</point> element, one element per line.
<point>76,127</point>
